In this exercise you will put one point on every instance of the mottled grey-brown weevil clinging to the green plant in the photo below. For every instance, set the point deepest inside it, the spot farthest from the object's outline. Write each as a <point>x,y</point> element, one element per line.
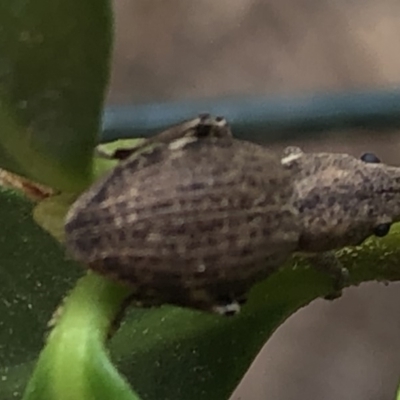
<point>195,217</point>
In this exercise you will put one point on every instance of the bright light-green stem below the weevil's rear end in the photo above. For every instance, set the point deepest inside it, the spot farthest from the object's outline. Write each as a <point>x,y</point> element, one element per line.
<point>74,363</point>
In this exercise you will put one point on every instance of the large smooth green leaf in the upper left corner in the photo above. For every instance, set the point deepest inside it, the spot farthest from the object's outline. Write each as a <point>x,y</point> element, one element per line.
<point>54,64</point>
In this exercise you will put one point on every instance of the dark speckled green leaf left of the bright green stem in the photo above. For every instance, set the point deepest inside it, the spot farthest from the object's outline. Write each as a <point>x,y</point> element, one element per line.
<point>35,276</point>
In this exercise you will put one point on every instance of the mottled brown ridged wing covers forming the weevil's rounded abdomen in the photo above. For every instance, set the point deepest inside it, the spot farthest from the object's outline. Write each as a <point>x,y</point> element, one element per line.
<point>192,218</point>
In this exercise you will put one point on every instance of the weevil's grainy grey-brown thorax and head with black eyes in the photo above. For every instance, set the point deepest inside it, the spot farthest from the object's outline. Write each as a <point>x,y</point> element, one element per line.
<point>343,200</point>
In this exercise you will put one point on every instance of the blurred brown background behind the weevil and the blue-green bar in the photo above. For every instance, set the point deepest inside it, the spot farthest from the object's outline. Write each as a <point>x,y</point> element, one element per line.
<point>176,49</point>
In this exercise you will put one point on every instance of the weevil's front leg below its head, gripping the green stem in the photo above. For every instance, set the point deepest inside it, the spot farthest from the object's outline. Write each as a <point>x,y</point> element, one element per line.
<point>328,263</point>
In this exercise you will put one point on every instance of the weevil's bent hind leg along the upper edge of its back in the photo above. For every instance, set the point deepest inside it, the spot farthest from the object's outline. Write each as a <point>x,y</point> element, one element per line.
<point>202,126</point>
